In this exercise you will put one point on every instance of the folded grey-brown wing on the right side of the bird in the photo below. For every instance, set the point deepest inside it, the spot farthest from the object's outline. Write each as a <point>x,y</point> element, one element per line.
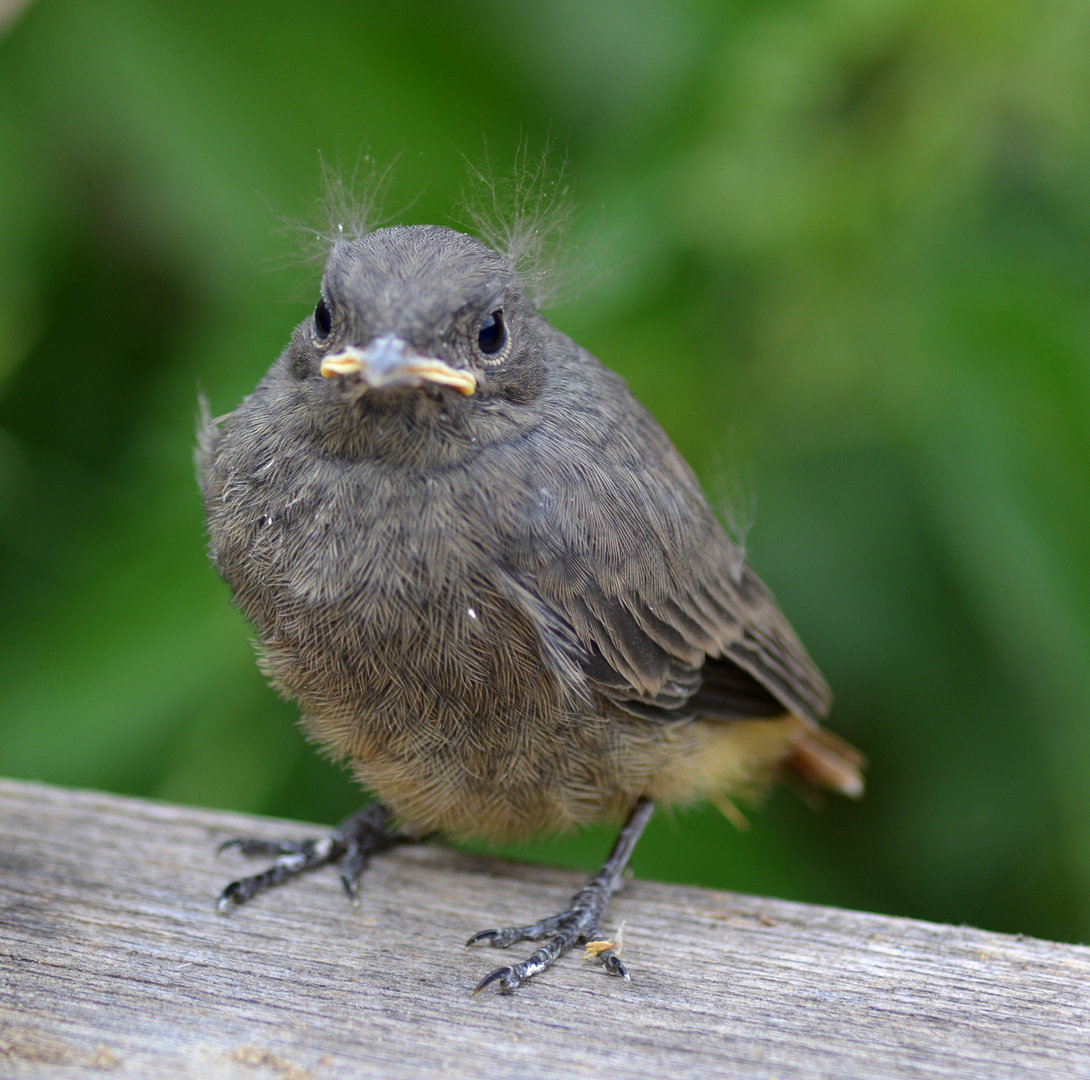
<point>620,545</point>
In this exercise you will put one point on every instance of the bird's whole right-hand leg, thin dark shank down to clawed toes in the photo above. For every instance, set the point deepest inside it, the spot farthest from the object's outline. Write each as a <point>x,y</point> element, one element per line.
<point>579,924</point>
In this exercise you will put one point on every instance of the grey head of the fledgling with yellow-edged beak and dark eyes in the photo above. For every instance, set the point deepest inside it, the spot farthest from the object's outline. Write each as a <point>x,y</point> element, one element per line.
<point>417,327</point>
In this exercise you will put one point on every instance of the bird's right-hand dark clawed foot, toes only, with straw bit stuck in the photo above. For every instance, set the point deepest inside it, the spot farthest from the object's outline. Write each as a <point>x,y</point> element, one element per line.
<point>579,924</point>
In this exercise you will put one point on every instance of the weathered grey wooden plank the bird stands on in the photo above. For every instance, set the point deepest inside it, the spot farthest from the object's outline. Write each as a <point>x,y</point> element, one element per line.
<point>113,961</point>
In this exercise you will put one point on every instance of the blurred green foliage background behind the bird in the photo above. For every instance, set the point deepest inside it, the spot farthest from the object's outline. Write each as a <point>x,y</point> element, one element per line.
<point>847,256</point>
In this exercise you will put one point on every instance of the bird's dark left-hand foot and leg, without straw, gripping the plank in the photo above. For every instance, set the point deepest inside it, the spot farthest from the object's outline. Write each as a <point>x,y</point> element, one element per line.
<point>352,844</point>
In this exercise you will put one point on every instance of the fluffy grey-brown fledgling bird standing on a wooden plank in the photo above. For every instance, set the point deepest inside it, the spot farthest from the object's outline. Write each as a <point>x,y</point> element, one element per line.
<point>492,584</point>
